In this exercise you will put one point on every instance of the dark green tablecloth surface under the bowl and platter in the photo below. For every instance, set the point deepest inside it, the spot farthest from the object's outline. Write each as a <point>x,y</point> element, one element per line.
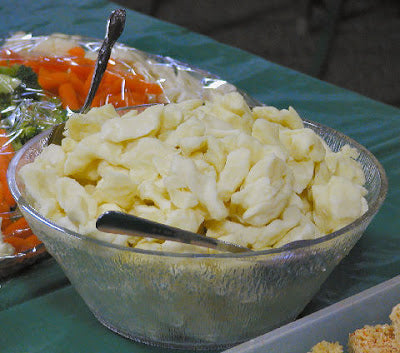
<point>41,312</point>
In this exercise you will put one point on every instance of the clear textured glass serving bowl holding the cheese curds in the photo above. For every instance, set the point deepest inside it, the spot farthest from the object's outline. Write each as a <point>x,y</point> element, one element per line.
<point>197,300</point>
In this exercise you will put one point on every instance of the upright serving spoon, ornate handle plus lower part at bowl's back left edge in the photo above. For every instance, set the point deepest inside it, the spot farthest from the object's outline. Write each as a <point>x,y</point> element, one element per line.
<point>114,29</point>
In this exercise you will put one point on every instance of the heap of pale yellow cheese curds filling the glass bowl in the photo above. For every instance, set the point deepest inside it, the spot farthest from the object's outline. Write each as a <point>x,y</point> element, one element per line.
<point>255,177</point>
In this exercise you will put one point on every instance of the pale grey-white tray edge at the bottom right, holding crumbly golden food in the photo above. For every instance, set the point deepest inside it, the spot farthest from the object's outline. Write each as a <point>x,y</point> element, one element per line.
<point>332,324</point>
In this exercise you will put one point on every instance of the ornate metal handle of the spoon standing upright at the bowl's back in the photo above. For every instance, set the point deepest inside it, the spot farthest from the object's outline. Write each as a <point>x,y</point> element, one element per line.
<point>115,26</point>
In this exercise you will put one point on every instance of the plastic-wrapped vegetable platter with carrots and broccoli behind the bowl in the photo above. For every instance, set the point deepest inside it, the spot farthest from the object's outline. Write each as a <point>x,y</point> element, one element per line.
<point>57,80</point>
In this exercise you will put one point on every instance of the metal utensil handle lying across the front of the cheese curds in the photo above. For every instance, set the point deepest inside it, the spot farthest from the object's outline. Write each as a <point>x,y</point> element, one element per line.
<point>123,223</point>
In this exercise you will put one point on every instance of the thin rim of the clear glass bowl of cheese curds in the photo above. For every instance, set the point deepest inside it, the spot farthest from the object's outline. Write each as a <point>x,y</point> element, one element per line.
<point>297,245</point>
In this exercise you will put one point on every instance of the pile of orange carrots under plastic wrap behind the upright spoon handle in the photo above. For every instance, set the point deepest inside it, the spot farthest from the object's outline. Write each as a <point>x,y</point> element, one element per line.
<point>70,77</point>
